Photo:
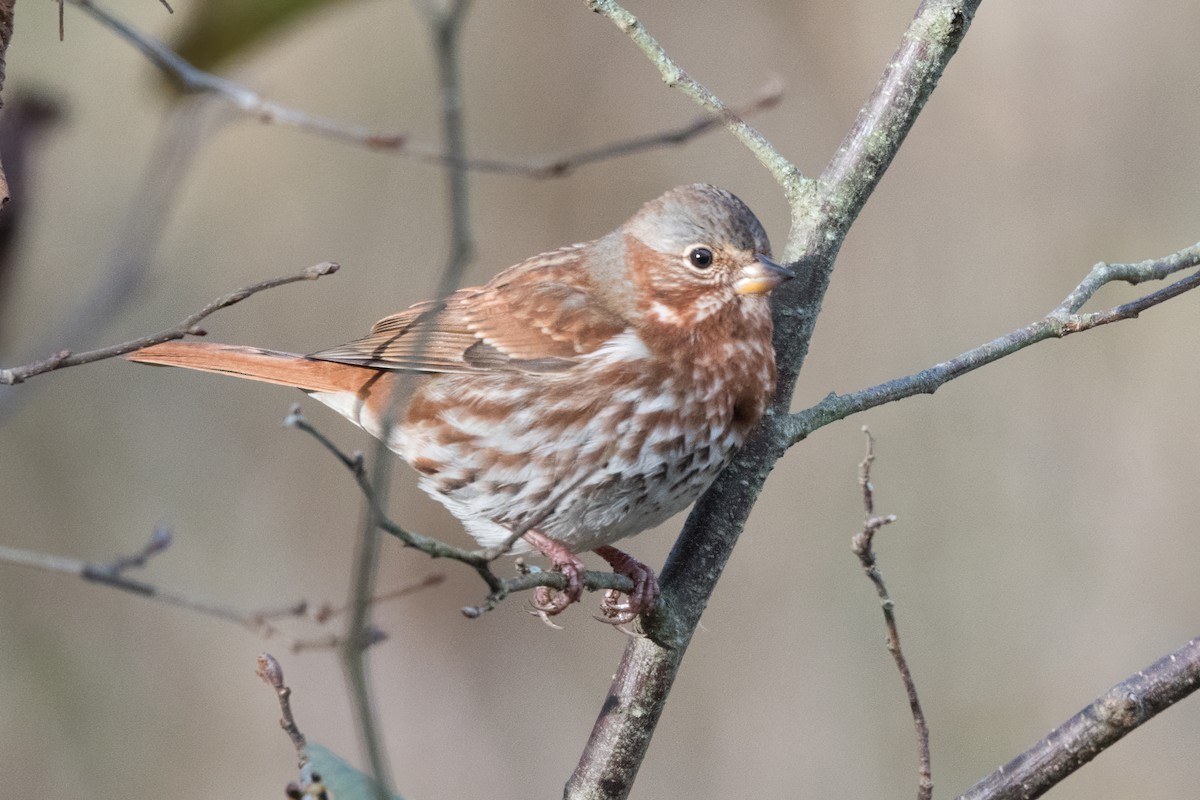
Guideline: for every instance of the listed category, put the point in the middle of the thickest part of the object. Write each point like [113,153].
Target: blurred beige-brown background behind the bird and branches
[1047,538]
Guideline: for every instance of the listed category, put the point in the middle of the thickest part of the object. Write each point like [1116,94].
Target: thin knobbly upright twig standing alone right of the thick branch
[863,545]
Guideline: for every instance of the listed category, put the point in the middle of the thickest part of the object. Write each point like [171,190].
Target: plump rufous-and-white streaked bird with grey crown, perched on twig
[580,398]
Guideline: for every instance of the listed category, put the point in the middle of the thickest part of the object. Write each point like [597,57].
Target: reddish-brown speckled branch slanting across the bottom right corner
[1124,708]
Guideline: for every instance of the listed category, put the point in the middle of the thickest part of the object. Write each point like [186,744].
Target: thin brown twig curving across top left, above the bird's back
[249,103]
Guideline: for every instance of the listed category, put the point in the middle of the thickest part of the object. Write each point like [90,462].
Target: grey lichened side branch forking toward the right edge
[1064,321]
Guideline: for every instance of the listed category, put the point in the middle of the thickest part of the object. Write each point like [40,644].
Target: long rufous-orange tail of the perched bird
[255,364]
